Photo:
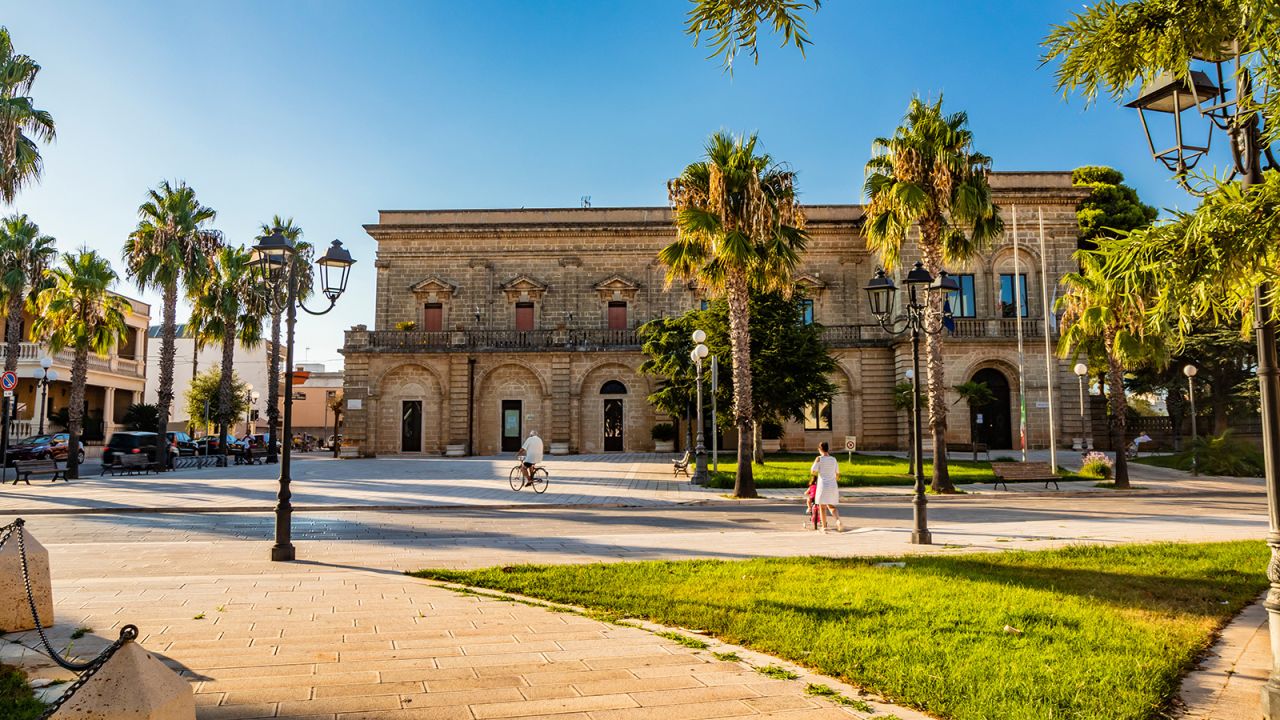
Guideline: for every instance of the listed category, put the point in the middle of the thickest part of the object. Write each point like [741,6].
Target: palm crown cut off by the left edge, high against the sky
[21,124]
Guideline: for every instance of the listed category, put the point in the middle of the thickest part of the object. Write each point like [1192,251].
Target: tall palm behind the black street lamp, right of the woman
[929,175]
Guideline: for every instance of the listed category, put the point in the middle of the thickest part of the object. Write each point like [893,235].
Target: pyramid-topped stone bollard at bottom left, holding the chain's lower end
[134,685]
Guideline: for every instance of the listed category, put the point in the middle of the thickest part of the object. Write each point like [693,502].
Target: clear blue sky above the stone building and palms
[330,112]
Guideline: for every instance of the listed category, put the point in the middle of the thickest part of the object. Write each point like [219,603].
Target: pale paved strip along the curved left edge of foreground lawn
[752,659]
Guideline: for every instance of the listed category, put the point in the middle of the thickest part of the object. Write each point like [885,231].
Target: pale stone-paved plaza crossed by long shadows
[344,635]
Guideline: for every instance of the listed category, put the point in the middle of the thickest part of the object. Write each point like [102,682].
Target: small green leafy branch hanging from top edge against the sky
[733,26]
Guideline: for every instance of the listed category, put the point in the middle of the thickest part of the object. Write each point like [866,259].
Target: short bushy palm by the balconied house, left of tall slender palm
[80,312]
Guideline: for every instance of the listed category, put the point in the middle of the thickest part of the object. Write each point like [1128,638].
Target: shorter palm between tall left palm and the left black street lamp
[228,309]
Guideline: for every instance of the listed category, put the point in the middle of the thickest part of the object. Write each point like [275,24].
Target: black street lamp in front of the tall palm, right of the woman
[880,295]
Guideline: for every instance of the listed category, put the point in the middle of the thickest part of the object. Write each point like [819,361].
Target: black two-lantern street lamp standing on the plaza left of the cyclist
[277,267]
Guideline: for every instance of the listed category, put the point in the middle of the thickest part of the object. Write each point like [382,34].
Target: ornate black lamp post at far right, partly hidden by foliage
[1220,103]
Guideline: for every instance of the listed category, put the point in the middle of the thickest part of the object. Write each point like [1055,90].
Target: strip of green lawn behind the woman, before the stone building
[792,471]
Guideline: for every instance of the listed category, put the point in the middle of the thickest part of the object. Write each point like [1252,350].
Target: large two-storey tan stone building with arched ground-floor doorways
[493,323]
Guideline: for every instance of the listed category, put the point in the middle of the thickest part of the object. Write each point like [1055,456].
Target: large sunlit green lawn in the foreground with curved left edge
[1096,632]
